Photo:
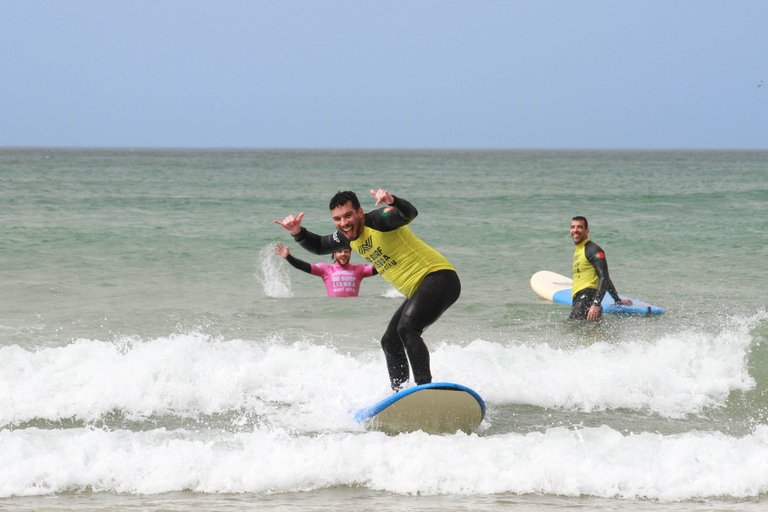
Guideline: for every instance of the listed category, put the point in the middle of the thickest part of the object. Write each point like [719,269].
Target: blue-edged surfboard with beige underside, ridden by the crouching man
[435,408]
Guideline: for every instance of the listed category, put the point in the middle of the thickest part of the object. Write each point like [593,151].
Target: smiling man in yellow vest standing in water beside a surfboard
[590,275]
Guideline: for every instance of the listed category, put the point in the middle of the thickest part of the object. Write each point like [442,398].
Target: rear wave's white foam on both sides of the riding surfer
[295,383]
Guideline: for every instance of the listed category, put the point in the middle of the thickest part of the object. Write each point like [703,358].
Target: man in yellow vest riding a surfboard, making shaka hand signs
[428,281]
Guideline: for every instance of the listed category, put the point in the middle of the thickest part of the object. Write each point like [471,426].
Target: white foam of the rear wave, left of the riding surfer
[182,375]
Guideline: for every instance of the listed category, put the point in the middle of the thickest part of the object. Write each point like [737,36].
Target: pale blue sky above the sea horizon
[385,74]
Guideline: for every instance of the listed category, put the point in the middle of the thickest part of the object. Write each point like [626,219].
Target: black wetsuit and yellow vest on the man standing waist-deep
[590,279]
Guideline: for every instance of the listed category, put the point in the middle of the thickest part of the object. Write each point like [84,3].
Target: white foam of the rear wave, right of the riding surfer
[679,374]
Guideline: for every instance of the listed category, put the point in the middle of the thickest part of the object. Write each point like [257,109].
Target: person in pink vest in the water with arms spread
[341,279]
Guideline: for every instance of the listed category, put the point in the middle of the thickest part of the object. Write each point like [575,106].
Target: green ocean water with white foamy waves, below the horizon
[155,354]
